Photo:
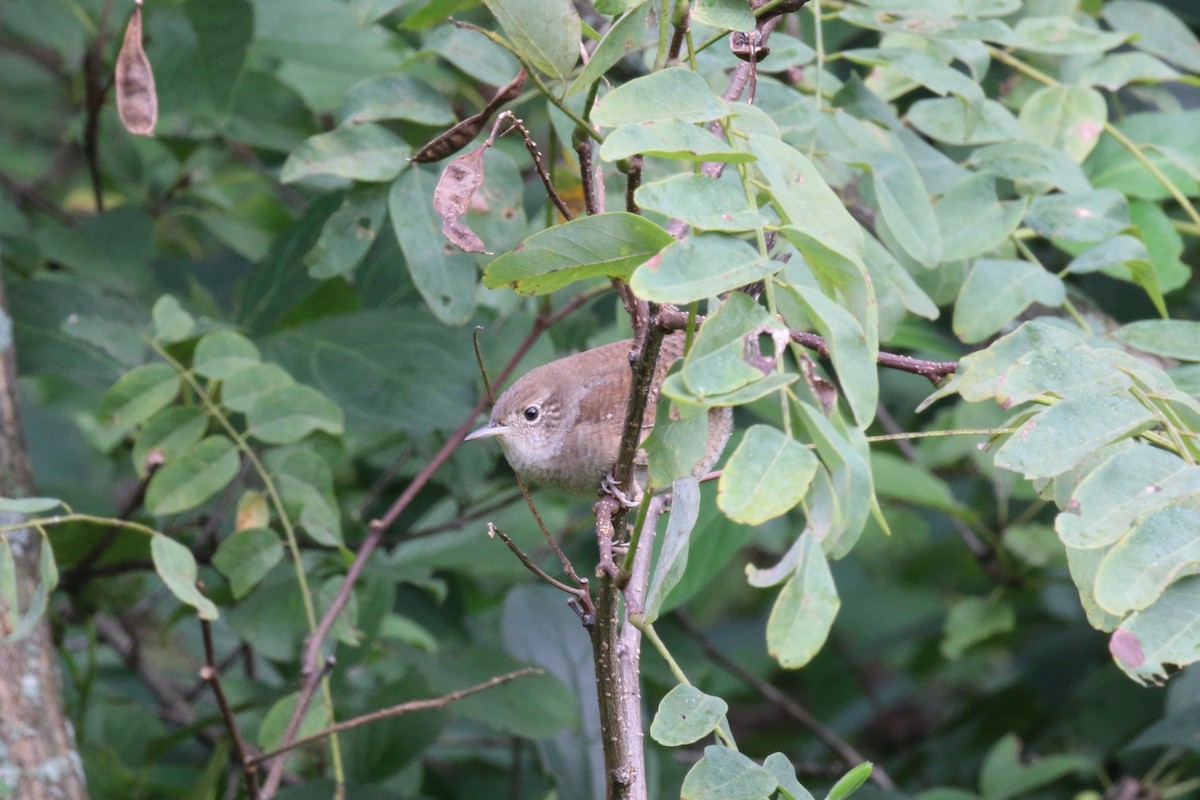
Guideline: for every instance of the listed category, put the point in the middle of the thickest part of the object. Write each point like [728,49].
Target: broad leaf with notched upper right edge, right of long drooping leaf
[973,220]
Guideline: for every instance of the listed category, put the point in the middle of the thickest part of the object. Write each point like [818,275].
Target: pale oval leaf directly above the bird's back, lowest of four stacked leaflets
[699,267]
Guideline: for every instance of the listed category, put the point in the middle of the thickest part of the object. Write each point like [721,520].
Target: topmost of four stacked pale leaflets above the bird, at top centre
[675,94]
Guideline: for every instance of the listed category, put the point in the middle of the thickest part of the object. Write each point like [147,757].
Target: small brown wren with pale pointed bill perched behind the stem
[561,424]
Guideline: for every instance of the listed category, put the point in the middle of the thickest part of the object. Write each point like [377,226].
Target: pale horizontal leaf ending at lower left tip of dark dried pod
[364,153]
